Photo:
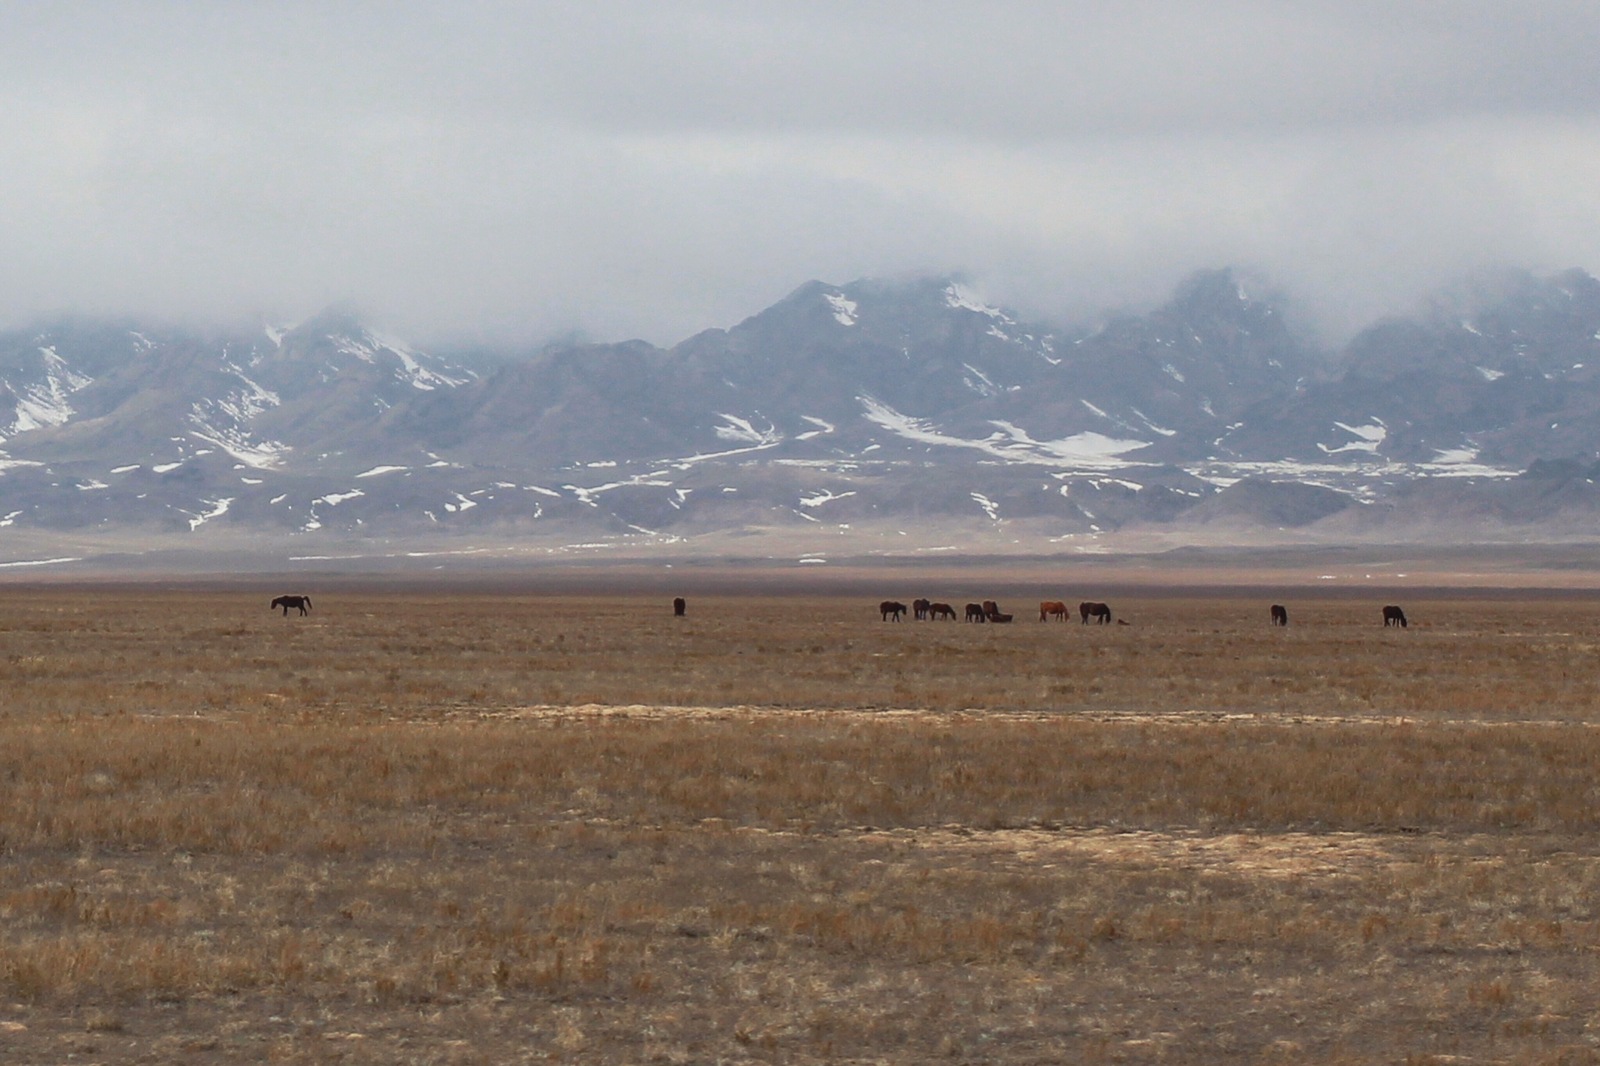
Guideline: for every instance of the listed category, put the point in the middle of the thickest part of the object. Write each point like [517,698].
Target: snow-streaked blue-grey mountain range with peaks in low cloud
[860,411]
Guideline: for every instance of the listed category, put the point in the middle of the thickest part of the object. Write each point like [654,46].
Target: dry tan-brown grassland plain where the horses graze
[458,827]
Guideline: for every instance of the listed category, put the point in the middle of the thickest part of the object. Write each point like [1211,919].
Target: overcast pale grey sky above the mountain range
[508,172]
